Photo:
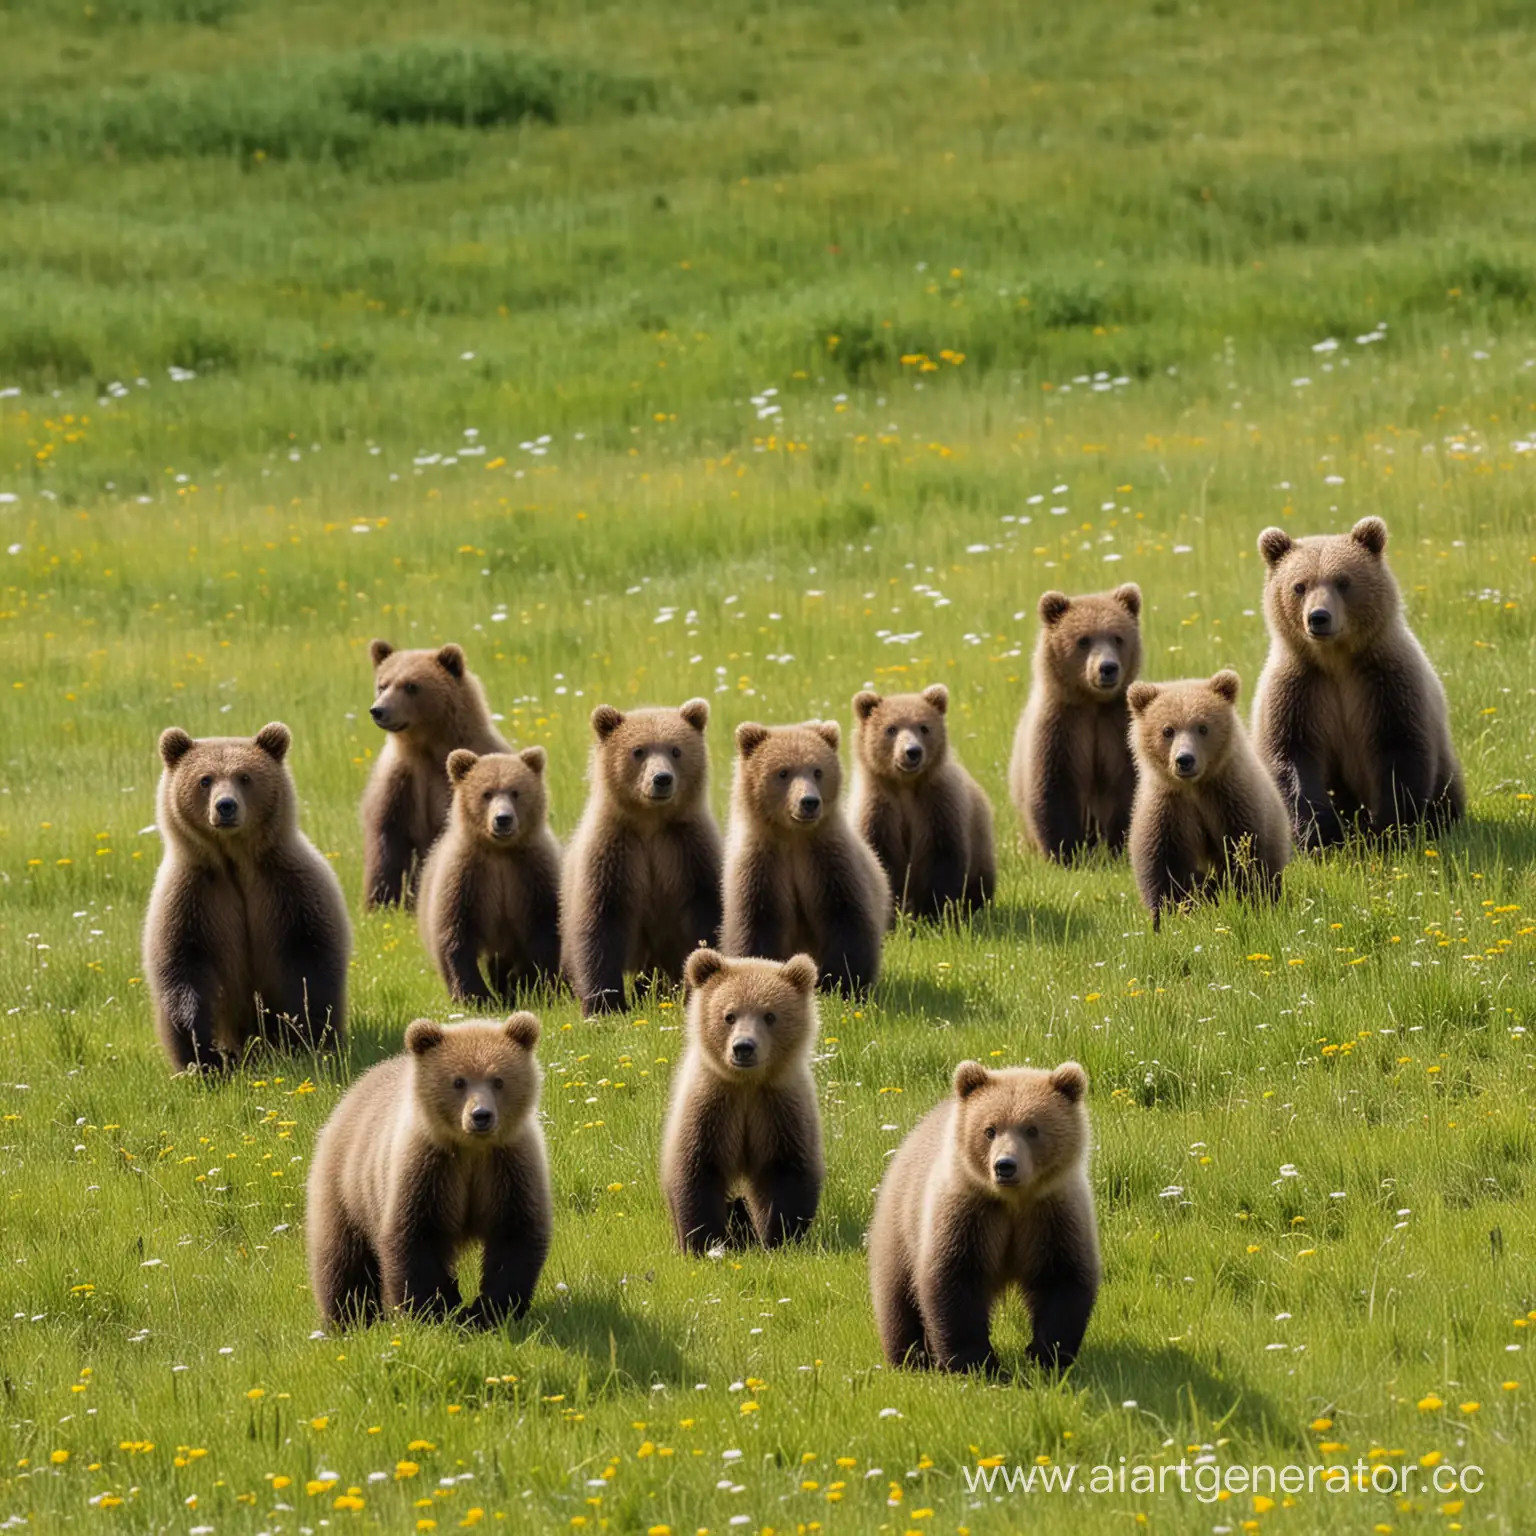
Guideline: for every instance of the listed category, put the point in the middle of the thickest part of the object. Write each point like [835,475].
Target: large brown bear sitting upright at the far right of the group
[1349,715]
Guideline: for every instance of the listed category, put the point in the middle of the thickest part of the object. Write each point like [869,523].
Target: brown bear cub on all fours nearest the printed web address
[990,1191]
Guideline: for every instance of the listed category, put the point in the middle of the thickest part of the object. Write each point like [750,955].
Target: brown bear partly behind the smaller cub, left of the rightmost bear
[1071,776]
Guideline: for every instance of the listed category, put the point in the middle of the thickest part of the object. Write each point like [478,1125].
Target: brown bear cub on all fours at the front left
[428,1153]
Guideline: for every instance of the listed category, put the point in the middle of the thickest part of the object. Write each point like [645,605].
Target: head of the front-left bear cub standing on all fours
[475,1085]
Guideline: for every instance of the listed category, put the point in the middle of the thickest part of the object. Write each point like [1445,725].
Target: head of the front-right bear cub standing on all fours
[1022,1130]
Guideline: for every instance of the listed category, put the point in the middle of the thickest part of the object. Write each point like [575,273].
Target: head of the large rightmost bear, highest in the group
[1329,594]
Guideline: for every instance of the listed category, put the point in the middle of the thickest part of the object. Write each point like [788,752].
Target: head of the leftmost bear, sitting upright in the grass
[227,790]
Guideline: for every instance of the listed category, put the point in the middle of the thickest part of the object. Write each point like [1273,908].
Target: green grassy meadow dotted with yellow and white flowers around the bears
[766,353]
